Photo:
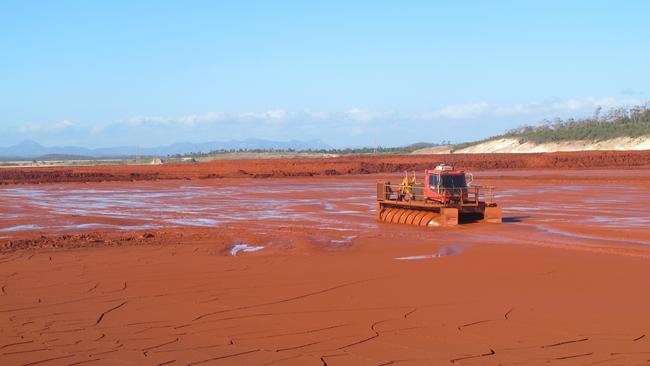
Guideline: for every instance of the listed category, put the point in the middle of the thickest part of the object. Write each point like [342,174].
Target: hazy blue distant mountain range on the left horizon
[33,150]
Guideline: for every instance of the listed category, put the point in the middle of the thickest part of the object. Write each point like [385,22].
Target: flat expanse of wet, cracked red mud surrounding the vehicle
[143,273]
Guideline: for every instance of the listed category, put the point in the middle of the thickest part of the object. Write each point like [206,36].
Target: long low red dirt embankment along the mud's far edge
[266,168]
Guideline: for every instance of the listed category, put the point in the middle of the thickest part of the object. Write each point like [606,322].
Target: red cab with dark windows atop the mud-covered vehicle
[444,184]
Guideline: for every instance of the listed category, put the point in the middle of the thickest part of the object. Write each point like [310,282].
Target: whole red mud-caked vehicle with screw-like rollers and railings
[445,196]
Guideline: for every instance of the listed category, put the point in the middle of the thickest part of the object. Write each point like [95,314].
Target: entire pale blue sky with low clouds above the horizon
[94,74]
